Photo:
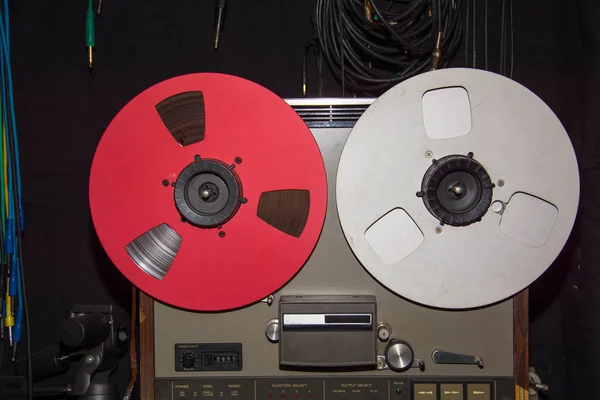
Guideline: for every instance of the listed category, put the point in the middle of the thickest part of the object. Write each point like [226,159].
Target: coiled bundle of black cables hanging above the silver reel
[372,45]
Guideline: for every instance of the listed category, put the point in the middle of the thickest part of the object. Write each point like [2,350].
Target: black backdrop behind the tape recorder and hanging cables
[62,111]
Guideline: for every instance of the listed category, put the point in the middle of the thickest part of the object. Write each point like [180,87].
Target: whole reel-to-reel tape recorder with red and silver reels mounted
[334,248]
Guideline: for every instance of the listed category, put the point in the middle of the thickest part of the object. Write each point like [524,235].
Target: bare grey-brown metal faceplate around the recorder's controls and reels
[333,270]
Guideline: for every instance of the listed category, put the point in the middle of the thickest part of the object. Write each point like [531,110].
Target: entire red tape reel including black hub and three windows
[208,192]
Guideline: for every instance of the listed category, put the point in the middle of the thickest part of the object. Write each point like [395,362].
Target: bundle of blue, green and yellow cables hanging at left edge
[12,282]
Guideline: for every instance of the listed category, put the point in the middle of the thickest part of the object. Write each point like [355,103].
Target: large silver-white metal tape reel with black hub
[457,188]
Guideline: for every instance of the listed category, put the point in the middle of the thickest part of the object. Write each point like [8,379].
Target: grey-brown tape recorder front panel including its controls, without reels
[334,316]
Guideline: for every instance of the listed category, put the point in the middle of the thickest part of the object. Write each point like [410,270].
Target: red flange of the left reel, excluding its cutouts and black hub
[210,271]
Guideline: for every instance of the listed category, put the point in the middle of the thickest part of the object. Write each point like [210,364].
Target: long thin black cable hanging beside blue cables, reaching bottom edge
[11,149]
